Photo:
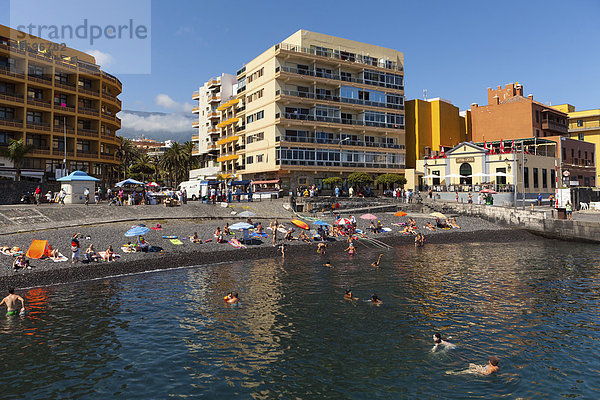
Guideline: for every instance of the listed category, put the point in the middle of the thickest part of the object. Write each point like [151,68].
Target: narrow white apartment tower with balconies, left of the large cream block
[211,97]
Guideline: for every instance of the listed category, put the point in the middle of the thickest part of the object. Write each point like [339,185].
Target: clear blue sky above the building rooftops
[454,49]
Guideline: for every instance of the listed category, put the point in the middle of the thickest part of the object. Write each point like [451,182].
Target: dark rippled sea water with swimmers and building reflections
[170,335]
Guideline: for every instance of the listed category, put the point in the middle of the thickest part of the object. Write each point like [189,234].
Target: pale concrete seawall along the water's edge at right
[538,222]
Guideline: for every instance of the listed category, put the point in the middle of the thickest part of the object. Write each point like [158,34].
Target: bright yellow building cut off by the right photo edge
[584,125]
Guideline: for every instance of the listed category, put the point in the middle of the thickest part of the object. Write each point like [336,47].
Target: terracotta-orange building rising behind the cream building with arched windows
[510,115]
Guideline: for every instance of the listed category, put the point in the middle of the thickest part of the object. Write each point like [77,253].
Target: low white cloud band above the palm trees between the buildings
[174,123]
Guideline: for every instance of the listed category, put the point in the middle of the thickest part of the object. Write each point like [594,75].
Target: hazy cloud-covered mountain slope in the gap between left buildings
[157,125]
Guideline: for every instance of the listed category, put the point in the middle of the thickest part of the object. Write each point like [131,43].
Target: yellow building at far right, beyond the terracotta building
[584,126]
